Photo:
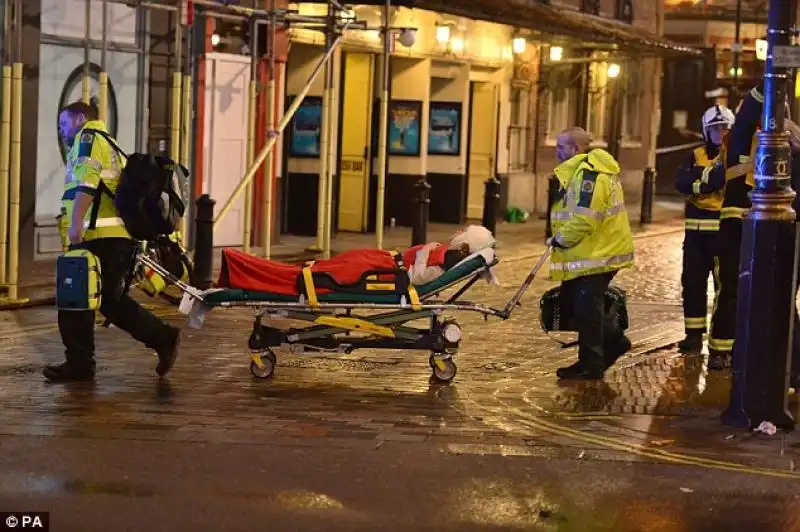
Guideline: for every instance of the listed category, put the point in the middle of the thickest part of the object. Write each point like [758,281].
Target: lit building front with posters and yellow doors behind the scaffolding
[480,93]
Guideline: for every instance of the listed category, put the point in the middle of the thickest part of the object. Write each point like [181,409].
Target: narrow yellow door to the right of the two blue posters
[482,144]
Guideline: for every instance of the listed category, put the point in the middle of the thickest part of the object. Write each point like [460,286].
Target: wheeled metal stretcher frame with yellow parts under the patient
[334,328]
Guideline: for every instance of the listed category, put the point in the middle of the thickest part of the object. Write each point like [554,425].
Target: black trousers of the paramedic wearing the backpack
[77,327]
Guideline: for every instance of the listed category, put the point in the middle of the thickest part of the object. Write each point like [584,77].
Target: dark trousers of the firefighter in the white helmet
[698,264]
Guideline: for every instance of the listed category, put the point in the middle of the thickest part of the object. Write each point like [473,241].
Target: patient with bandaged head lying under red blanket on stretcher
[422,264]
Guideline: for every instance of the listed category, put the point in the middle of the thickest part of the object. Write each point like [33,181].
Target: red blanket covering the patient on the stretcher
[247,272]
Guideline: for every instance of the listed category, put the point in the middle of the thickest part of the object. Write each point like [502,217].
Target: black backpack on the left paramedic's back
[150,194]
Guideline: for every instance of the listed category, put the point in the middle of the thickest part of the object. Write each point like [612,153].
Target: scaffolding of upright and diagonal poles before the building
[333,25]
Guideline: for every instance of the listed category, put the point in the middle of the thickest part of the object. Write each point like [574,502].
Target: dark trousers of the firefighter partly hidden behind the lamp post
[723,321]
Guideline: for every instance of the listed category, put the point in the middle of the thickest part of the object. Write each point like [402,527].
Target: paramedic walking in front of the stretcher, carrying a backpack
[92,222]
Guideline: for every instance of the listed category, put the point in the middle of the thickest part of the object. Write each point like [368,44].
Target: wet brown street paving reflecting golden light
[366,441]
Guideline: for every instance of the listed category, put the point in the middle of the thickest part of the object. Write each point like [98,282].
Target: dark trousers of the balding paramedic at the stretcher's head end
[596,333]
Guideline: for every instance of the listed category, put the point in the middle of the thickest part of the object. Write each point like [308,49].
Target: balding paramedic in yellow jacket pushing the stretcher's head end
[591,242]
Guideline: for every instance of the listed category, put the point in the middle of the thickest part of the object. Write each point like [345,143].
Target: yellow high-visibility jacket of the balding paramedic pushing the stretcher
[589,218]
